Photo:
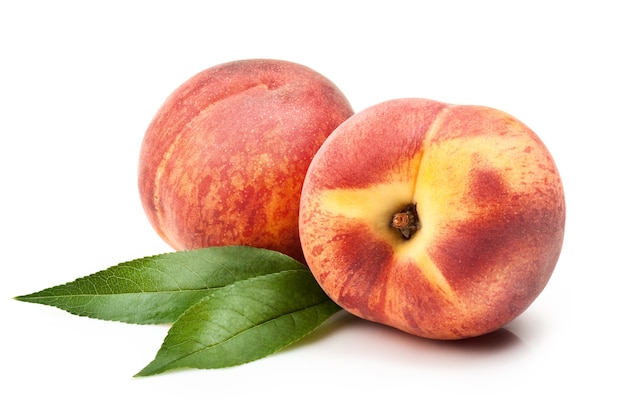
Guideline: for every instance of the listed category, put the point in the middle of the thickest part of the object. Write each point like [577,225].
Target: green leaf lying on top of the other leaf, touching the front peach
[243,322]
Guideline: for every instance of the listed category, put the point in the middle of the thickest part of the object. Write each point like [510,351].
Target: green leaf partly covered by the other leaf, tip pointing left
[158,289]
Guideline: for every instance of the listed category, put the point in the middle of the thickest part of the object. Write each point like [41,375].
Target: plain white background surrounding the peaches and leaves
[80,81]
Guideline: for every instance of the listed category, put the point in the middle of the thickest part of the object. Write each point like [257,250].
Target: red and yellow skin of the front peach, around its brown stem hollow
[490,204]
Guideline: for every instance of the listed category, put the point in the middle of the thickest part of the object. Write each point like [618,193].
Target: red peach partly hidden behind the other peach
[223,160]
